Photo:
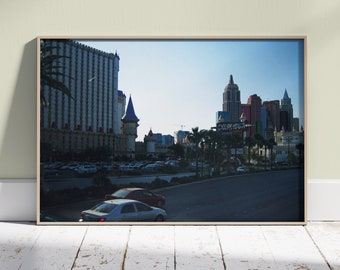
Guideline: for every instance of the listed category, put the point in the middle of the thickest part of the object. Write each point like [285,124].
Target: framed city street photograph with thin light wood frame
[171,130]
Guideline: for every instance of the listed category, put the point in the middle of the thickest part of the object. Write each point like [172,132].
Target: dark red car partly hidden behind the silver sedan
[138,194]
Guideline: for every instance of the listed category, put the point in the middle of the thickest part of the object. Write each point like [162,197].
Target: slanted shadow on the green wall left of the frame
[18,150]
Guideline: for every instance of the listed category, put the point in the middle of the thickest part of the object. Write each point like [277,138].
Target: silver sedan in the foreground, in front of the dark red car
[123,210]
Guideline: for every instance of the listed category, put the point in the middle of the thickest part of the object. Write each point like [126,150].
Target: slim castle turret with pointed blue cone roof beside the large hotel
[130,124]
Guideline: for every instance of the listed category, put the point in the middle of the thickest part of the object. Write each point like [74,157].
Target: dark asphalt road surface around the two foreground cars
[276,196]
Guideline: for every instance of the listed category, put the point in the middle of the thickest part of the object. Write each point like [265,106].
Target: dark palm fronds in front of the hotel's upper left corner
[50,68]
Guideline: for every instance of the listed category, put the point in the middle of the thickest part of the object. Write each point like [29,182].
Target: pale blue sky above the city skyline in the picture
[178,84]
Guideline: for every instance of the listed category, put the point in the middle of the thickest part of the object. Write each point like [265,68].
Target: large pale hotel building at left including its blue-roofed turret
[93,120]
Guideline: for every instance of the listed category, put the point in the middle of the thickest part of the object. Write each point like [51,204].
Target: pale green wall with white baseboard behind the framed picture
[22,21]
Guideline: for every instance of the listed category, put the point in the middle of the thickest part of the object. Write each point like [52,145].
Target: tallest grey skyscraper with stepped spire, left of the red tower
[232,100]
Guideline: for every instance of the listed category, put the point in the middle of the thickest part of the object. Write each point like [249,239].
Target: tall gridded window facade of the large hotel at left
[95,98]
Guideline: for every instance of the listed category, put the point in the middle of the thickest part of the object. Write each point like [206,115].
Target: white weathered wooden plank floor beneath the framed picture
[27,246]
